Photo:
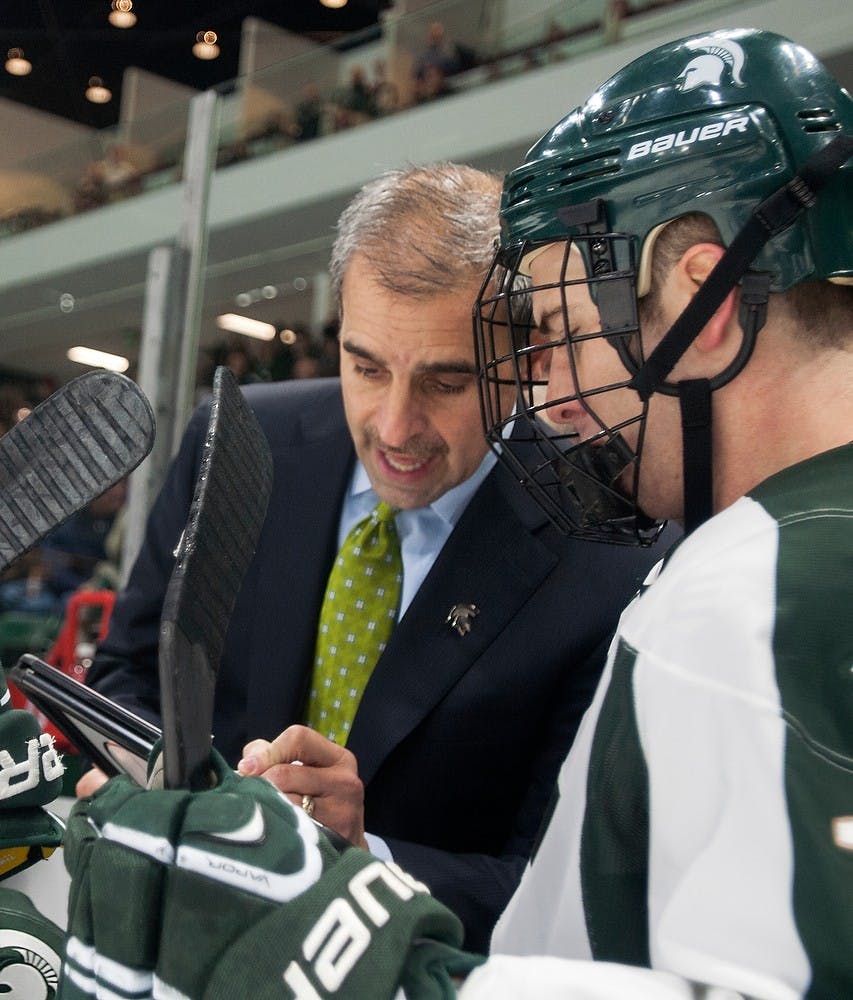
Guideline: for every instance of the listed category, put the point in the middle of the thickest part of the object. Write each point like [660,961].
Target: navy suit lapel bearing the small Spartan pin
[491,560]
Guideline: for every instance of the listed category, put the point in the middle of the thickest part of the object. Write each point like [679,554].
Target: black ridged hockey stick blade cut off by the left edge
[73,447]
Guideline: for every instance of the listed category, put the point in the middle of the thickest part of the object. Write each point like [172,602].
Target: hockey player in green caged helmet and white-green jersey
[685,238]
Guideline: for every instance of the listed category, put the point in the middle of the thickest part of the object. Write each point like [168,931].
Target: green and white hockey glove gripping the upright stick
[234,892]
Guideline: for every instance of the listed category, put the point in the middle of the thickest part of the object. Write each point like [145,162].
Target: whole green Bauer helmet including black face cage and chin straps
[742,126]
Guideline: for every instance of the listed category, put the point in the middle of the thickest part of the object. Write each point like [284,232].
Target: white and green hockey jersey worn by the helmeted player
[697,826]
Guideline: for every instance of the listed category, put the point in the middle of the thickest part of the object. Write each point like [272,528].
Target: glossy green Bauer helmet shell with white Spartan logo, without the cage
[713,123]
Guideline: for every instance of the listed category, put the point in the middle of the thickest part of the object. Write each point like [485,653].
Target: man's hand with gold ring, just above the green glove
[300,762]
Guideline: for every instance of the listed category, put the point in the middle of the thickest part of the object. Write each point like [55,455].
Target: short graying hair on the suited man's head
[423,230]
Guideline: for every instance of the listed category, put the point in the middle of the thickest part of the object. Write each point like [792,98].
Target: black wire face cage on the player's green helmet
[587,486]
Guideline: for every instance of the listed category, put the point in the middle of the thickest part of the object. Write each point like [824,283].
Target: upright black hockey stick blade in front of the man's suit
[227,512]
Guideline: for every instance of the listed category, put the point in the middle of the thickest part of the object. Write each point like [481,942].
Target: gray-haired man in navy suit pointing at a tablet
[455,743]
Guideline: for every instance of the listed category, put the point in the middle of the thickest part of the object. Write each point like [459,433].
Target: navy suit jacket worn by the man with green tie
[458,737]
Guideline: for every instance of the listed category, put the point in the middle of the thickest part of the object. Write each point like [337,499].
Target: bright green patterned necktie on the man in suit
[358,614]
